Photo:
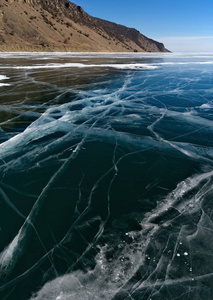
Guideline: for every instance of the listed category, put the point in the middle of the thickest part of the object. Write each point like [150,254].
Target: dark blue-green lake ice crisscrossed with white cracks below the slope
[107,185]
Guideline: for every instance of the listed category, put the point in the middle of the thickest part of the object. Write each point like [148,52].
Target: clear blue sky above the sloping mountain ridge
[182,25]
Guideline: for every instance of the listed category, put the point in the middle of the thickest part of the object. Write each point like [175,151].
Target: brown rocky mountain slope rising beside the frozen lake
[60,25]
